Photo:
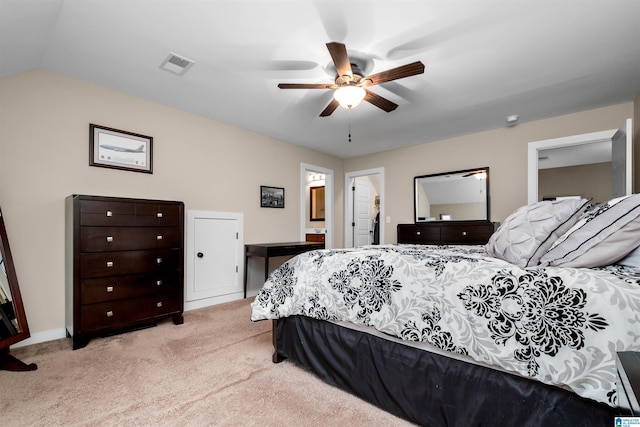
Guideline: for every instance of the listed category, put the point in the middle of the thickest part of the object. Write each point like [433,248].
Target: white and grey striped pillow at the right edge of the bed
[601,237]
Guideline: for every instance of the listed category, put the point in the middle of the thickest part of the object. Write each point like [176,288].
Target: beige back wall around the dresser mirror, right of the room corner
[503,150]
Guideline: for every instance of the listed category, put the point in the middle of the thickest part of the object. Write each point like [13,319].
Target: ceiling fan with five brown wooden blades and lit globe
[351,85]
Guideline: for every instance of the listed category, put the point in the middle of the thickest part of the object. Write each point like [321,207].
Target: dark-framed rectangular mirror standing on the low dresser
[457,195]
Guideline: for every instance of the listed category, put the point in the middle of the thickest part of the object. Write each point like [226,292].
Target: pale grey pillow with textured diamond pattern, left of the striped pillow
[530,230]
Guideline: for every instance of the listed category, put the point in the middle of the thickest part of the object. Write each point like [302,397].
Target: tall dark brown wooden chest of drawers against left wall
[124,264]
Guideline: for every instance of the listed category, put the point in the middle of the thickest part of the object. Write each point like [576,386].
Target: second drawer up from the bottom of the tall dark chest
[119,287]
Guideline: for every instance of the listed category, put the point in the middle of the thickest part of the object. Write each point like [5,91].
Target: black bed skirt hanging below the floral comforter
[426,388]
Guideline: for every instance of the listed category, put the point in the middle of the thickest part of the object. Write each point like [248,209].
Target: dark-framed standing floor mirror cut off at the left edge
[13,320]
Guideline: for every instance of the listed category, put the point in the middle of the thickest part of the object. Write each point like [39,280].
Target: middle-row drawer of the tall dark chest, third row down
[101,264]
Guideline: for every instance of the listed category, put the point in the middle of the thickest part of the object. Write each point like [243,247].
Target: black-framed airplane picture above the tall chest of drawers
[118,149]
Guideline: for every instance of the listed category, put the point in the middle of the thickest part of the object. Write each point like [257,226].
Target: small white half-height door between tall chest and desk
[215,258]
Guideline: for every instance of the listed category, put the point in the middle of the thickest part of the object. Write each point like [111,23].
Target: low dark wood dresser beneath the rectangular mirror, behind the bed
[446,232]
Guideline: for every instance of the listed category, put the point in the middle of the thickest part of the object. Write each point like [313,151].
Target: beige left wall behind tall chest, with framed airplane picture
[44,157]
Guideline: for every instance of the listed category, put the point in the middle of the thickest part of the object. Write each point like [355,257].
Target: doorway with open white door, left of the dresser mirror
[364,208]
